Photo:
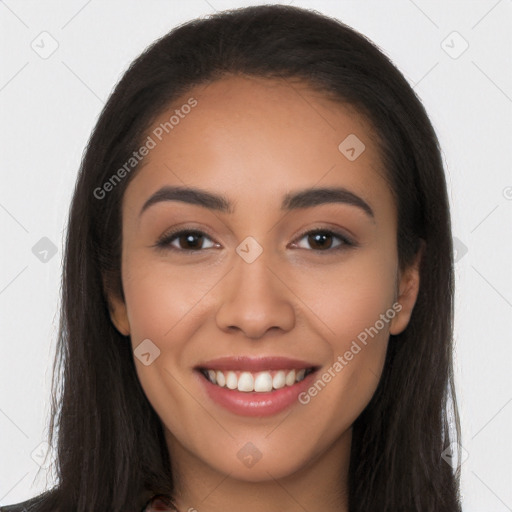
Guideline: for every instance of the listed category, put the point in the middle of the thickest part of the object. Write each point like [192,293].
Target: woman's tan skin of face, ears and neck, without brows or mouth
[253,140]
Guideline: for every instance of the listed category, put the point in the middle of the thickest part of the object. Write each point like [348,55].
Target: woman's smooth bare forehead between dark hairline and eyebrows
[254,139]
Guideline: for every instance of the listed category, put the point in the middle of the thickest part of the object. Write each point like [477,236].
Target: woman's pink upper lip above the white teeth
[246,363]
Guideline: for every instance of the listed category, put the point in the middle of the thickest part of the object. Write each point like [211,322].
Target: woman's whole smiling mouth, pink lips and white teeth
[255,387]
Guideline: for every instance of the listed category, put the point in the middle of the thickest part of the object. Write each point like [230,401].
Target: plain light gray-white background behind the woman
[48,109]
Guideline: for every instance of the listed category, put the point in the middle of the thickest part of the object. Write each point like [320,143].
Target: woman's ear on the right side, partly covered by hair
[408,288]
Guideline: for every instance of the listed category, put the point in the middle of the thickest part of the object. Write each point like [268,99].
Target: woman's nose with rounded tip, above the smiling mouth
[255,299]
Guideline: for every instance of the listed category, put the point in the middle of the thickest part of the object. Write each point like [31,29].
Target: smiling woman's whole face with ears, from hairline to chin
[266,276]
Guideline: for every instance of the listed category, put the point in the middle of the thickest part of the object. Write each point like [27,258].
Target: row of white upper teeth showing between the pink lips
[259,382]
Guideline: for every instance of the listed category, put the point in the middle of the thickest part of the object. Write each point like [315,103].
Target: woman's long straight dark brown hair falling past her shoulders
[111,450]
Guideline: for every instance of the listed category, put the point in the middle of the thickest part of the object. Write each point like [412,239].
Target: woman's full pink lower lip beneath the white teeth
[253,403]
